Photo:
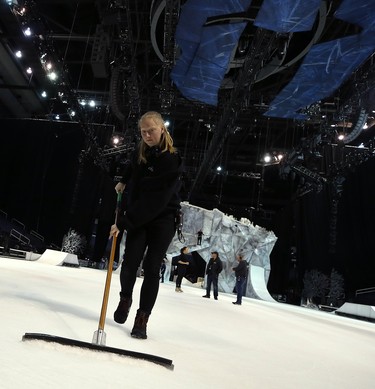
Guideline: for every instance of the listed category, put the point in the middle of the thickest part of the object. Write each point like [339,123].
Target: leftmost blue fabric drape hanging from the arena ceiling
[205,50]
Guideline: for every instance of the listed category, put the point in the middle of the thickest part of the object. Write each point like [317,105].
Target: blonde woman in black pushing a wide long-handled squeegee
[153,180]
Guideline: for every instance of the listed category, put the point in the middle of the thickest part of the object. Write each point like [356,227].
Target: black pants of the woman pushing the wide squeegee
[155,237]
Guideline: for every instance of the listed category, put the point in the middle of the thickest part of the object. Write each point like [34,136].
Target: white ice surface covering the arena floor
[213,344]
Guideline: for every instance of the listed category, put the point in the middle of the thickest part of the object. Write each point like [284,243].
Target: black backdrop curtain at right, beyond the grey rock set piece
[305,224]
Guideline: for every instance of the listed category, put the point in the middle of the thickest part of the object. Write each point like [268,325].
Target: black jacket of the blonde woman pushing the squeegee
[152,188]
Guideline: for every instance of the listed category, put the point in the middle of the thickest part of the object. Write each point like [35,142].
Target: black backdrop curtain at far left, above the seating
[40,163]
